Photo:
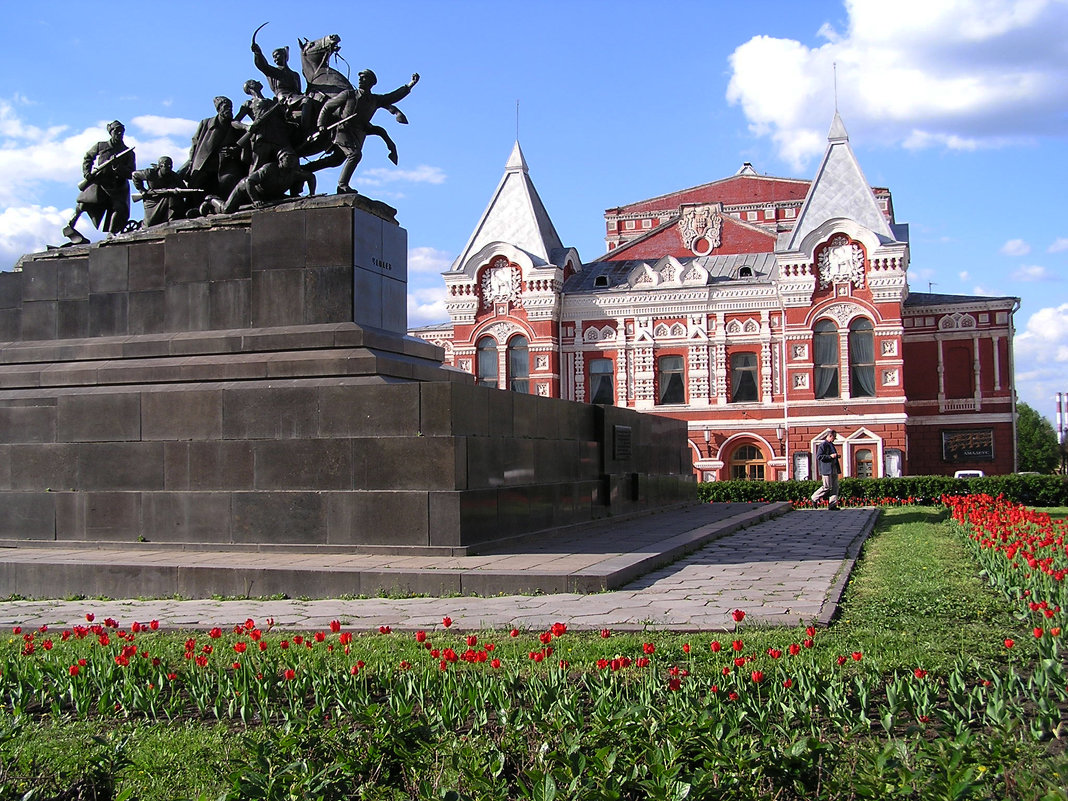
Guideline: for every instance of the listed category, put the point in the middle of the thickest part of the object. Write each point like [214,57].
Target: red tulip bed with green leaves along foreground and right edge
[438,713]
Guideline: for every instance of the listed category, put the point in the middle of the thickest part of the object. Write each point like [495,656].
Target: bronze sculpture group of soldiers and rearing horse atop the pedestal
[232,165]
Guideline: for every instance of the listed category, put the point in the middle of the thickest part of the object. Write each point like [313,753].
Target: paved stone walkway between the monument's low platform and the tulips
[783,572]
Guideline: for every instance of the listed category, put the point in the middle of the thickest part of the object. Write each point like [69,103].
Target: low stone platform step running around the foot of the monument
[591,558]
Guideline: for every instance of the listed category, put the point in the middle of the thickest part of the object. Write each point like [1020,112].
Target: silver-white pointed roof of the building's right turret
[840,190]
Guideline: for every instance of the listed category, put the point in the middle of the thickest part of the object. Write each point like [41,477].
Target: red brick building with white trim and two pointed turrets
[763,311]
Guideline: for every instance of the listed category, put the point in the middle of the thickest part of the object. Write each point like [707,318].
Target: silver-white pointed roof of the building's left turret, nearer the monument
[516,216]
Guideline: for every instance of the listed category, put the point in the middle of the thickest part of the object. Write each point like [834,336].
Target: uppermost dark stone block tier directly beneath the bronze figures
[311,262]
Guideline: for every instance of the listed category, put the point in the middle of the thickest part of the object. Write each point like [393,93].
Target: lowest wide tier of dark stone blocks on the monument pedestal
[439,465]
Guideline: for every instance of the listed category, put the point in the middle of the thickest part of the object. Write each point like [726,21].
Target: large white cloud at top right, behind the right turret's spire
[954,74]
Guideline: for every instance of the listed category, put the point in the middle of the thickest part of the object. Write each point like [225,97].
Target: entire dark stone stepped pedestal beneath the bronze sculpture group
[217,385]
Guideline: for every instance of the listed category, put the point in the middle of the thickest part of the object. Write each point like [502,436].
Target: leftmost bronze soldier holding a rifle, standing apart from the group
[105,194]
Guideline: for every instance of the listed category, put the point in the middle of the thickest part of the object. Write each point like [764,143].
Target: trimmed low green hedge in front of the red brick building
[1033,491]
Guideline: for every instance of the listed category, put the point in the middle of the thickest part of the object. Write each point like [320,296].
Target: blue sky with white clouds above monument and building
[960,107]
